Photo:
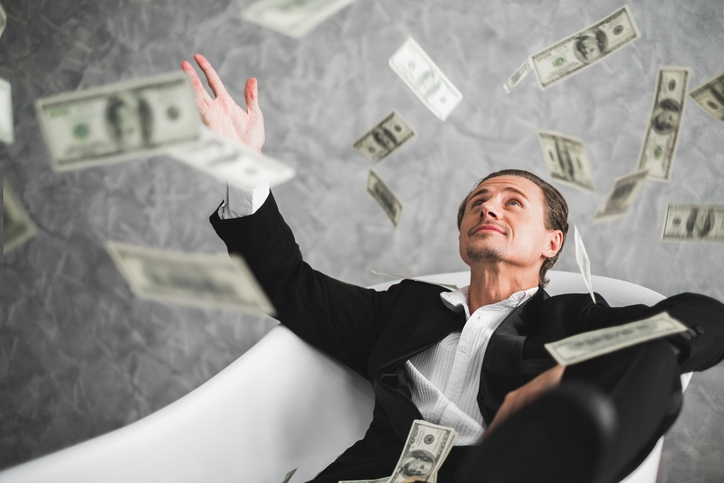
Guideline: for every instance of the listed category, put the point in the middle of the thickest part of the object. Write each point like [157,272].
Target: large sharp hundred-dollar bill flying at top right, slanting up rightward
[581,50]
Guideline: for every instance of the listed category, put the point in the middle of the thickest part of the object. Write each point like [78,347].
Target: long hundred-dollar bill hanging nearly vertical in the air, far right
[662,132]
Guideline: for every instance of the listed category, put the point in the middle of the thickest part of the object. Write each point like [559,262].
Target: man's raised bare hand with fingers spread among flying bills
[221,113]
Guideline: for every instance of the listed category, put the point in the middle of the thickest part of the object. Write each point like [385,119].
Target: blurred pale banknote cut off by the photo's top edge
[295,18]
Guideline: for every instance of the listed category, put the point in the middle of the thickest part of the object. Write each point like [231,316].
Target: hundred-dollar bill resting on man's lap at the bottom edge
[424,452]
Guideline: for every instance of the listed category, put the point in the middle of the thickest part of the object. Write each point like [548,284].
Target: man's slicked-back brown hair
[554,206]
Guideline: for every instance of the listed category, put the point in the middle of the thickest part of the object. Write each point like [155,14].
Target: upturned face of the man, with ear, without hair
[504,222]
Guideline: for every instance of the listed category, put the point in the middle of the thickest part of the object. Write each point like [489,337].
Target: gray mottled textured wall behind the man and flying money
[80,355]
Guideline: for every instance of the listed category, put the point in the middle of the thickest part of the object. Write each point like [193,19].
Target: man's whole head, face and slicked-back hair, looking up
[514,216]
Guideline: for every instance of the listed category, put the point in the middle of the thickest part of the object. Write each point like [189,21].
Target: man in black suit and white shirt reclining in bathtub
[473,359]
